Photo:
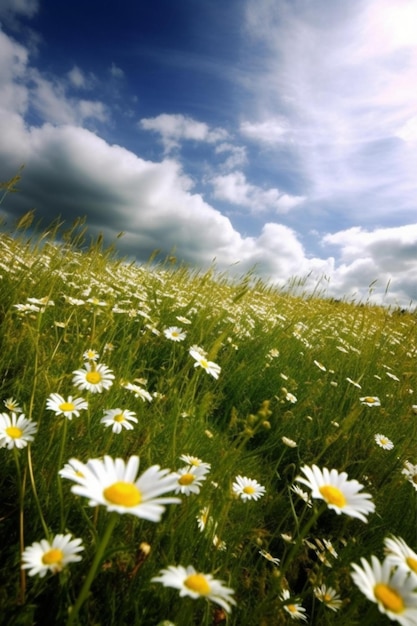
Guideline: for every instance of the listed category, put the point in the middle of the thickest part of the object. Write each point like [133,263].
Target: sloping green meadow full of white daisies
[178,448]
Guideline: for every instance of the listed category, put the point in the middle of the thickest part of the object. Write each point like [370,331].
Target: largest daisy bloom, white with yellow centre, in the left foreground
[114,484]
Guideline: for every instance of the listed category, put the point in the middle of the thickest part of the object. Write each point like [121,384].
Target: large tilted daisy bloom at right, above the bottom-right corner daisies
[341,495]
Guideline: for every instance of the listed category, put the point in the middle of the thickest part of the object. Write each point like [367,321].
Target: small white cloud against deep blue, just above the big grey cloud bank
[177,127]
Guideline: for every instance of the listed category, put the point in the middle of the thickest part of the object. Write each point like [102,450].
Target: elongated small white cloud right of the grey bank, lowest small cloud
[235,189]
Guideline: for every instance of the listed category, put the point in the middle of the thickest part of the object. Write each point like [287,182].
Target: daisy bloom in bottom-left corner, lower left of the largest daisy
[44,556]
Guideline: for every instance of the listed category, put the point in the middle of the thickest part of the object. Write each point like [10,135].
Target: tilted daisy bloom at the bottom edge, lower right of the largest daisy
[194,584]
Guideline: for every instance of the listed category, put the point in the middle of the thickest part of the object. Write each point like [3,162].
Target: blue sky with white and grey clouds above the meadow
[273,136]
